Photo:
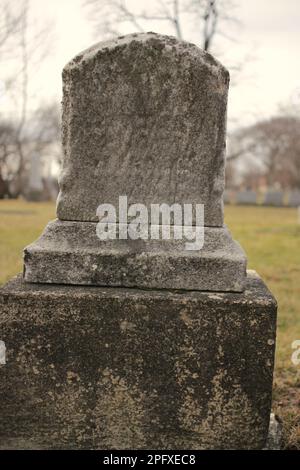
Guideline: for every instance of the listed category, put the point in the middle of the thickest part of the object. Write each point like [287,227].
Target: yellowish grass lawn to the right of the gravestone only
[271,239]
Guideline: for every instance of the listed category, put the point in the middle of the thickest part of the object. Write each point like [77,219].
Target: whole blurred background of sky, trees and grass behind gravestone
[258,42]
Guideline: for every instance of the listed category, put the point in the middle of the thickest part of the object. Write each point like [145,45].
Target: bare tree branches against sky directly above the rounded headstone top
[112,16]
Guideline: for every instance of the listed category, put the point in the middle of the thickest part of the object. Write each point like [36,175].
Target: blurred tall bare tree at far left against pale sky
[25,48]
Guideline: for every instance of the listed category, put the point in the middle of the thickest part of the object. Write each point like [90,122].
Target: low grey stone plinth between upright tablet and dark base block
[71,252]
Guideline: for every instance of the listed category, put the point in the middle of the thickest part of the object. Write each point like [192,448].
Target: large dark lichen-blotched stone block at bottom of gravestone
[117,368]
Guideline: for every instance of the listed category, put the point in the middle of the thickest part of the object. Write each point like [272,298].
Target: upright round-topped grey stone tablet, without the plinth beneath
[143,116]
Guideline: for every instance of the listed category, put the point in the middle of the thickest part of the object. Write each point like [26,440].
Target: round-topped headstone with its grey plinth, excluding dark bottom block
[153,132]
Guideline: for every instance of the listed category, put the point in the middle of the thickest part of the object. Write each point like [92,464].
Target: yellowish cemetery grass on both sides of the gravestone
[271,238]
